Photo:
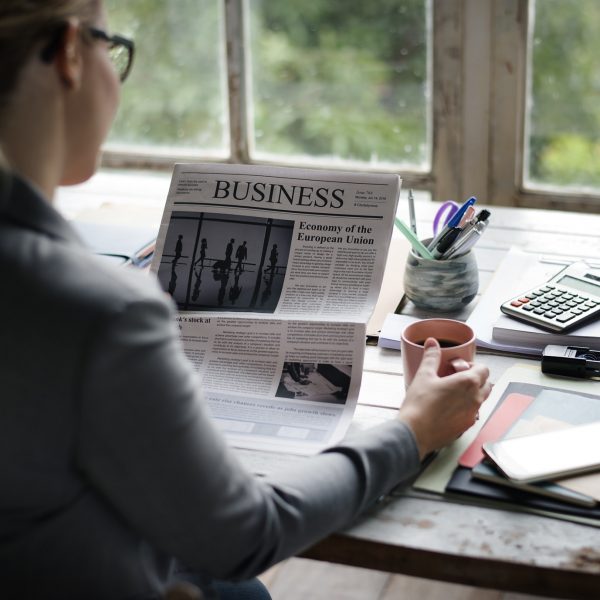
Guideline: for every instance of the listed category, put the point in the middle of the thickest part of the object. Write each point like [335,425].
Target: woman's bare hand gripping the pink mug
[440,409]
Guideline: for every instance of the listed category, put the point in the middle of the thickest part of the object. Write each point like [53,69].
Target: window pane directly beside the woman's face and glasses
[175,95]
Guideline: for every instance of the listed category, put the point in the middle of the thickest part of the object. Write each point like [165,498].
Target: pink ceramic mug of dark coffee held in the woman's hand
[456,339]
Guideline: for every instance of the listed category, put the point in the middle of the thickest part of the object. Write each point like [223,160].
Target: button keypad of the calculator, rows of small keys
[552,306]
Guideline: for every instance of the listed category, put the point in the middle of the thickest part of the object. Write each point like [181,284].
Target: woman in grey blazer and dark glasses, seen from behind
[110,465]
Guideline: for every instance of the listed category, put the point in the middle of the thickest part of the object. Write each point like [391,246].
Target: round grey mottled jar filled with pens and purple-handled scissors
[441,272]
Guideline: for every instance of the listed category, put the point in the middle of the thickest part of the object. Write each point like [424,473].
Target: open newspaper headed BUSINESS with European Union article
[275,272]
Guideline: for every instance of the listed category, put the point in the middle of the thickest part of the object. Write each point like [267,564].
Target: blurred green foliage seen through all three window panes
[345,79]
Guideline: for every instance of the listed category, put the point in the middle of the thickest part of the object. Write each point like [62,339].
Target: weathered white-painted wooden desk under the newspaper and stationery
[440,539]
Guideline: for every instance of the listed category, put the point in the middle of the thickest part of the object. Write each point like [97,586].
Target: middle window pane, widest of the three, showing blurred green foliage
[341,79]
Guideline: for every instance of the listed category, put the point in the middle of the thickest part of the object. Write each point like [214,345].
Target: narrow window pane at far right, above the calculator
[563,124]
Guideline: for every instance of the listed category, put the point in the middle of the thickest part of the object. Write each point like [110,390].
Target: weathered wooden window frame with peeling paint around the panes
[478,102]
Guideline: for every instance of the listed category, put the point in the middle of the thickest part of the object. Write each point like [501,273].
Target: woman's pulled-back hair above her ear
[24,23]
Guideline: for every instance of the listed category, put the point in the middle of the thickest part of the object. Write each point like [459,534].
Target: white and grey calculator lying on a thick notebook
[568,300]
